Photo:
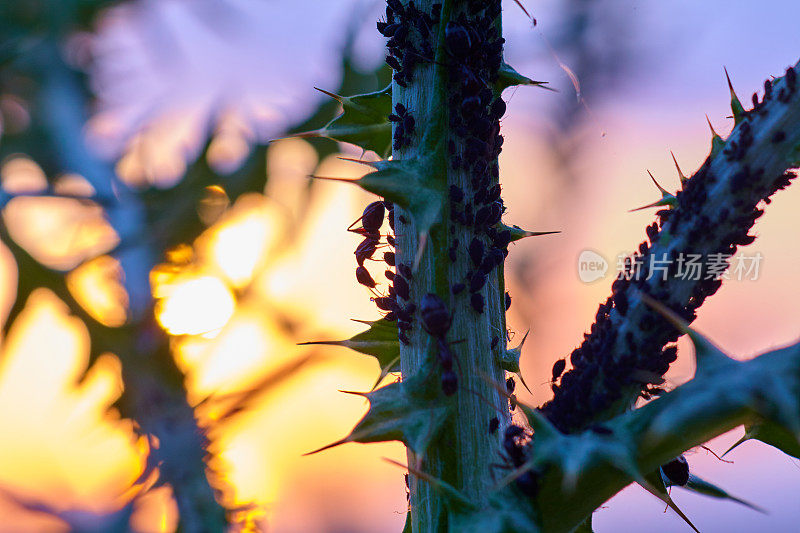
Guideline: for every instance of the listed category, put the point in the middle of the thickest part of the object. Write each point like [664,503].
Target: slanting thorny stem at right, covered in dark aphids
[629,347]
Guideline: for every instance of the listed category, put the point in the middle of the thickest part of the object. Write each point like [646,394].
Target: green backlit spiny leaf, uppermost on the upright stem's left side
[363,122]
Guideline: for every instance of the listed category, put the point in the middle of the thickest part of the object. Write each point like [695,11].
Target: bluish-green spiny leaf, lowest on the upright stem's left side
[411,411]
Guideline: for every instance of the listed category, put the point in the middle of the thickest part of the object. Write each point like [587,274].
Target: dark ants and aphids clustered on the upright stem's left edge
[398,292]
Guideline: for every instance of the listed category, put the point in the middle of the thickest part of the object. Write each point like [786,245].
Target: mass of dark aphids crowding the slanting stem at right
[646,355]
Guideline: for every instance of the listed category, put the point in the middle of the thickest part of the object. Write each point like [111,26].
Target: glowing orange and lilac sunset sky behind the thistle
[277,269]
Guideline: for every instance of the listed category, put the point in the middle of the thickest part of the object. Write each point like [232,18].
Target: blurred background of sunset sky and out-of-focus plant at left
[162,258]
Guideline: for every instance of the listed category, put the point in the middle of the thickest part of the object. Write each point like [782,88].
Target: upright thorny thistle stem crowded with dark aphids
[434,95]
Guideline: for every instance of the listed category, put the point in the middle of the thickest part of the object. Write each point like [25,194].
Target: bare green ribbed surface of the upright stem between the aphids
[465,449]
